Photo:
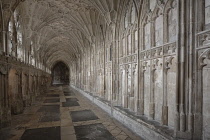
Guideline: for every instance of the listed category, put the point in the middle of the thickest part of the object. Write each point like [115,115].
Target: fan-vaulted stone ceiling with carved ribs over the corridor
[61,29]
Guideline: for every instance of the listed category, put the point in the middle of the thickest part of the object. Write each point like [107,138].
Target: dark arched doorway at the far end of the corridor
[60,74]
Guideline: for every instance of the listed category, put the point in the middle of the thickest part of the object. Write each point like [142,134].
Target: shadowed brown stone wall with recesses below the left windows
[20,84]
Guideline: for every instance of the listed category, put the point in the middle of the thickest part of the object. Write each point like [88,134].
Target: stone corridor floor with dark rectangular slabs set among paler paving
[64,114]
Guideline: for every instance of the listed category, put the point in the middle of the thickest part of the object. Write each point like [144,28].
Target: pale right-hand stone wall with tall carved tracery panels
[149,63]
